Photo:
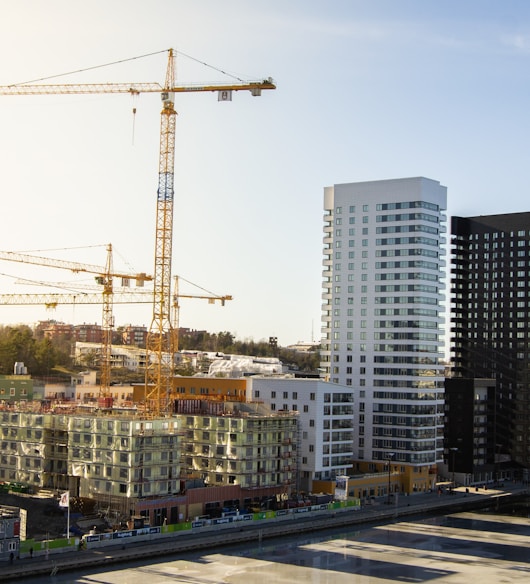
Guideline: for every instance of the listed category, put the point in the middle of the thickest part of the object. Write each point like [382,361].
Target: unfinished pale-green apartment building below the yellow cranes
[165,468]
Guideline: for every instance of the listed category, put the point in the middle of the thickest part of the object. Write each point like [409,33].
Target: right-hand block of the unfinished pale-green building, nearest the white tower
[231,443]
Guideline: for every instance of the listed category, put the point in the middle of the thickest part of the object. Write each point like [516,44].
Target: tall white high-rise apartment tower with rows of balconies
[383,316]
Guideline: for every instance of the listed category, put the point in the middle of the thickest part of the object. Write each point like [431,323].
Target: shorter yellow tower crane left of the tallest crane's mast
[104,277]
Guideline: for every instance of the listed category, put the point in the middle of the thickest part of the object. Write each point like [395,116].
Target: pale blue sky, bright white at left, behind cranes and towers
[366,90]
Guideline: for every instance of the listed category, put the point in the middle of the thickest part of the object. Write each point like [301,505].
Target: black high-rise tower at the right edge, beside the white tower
[490,320]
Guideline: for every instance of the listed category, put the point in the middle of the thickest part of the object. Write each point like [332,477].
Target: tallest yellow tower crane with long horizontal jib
[159,367]
